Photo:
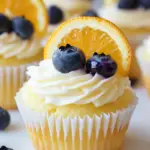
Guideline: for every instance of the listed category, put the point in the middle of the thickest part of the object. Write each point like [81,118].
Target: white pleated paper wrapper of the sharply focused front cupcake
[104,132]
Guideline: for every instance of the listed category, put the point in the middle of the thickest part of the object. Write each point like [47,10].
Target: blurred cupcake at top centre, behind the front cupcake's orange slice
[61,10]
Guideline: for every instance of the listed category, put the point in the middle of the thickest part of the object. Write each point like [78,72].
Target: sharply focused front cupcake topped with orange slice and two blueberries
[80,97]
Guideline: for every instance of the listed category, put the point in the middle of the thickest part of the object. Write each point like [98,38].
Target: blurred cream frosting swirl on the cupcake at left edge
[12,45]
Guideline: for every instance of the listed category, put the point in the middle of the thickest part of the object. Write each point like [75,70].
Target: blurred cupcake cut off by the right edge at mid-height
[143,55]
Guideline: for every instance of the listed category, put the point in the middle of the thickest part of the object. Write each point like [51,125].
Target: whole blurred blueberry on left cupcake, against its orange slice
[22,27]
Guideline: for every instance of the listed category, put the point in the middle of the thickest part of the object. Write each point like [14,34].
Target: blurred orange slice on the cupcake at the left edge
[33,10]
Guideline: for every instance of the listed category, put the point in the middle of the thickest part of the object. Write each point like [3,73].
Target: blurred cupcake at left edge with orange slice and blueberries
[20,36]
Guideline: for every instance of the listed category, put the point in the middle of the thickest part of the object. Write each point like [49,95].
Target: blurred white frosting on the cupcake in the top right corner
[135,18]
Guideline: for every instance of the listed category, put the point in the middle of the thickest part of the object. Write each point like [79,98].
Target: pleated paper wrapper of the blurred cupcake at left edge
[11,79]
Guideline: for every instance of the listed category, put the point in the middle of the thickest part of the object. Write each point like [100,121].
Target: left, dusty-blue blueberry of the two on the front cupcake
[68,58]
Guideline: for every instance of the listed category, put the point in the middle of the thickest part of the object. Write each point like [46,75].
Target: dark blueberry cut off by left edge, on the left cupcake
[5,24]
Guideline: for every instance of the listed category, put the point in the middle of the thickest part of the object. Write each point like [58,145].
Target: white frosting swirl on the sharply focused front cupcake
[76,87]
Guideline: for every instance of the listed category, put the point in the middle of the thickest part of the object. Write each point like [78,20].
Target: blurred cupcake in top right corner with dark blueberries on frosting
[131,16]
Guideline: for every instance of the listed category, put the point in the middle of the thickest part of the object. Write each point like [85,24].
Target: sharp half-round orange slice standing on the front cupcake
[91,35]
